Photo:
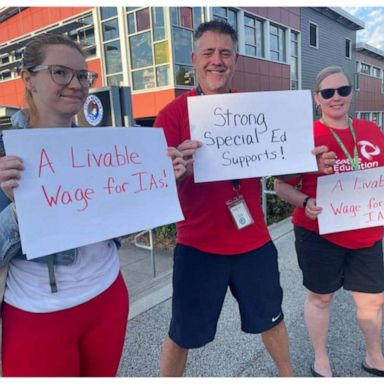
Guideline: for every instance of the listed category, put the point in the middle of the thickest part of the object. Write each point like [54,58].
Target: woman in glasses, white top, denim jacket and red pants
[63,314]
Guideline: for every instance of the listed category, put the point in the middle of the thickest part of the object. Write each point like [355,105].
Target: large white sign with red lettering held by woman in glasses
[84,185]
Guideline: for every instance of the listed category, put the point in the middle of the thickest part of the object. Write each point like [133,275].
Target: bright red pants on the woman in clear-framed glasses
[86,340]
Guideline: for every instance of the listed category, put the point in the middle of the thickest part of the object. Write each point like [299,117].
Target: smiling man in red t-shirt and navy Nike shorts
[212,253]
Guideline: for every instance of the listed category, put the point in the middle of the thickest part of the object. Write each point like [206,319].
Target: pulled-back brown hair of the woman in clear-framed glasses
[34,54]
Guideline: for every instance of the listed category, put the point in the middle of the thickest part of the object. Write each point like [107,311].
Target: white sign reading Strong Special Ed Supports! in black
[252,134]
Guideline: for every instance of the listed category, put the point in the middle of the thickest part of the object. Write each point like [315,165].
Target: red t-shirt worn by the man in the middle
[208,224]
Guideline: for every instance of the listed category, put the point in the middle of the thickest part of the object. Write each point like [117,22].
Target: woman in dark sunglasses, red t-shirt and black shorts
[350,259]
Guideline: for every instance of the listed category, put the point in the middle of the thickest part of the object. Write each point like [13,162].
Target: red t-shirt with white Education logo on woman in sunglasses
[365,131]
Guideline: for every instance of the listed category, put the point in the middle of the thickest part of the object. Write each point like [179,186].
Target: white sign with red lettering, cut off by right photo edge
[351,200]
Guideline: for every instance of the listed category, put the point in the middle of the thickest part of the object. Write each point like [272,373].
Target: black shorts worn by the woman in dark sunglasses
[327,267]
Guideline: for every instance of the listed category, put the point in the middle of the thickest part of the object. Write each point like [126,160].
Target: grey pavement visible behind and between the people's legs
[234,353]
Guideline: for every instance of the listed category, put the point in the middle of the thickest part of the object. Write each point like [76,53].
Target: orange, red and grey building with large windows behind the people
[149,48]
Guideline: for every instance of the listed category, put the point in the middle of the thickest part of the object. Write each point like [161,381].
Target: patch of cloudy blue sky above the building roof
[373,17]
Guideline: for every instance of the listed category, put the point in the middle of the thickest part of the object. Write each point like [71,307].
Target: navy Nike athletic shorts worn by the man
[200,283]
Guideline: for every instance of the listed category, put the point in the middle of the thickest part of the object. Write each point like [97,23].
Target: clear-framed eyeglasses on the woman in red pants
[63,75]
